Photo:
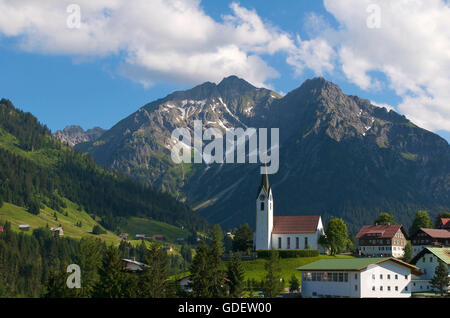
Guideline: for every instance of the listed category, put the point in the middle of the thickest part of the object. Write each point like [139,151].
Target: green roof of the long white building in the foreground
[352,264]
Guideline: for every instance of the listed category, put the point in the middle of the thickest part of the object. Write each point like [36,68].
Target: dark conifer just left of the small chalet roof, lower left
[111,277]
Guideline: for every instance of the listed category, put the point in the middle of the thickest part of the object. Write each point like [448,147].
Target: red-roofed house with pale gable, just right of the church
[382,240]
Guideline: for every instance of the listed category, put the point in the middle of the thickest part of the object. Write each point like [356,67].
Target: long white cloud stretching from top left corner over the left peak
[159,39]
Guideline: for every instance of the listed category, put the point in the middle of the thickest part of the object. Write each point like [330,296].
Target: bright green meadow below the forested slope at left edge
[17,215]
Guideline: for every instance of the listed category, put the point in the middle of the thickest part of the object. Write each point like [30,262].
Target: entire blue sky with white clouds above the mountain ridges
[92,63]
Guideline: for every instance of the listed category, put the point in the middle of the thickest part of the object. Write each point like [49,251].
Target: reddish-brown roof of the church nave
[295,224]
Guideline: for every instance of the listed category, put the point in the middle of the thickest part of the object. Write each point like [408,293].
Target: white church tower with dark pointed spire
[264,215]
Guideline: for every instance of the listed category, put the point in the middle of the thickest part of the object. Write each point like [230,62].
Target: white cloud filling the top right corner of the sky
[411,49]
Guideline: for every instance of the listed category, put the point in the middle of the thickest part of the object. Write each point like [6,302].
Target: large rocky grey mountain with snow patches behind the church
[339,155]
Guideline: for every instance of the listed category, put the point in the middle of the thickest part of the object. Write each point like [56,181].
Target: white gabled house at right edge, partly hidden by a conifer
[427,260]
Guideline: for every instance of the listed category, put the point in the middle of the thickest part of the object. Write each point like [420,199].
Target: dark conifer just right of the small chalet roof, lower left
[153,281]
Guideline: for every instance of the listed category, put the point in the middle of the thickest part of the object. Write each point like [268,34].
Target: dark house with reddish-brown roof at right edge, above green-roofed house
[429,238]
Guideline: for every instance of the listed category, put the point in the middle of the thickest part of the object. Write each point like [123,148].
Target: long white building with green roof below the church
[357,278]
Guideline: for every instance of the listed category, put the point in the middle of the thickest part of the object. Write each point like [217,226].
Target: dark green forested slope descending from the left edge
[38,172]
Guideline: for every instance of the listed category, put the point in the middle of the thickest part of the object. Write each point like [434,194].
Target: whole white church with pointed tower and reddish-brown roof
[283,232]
